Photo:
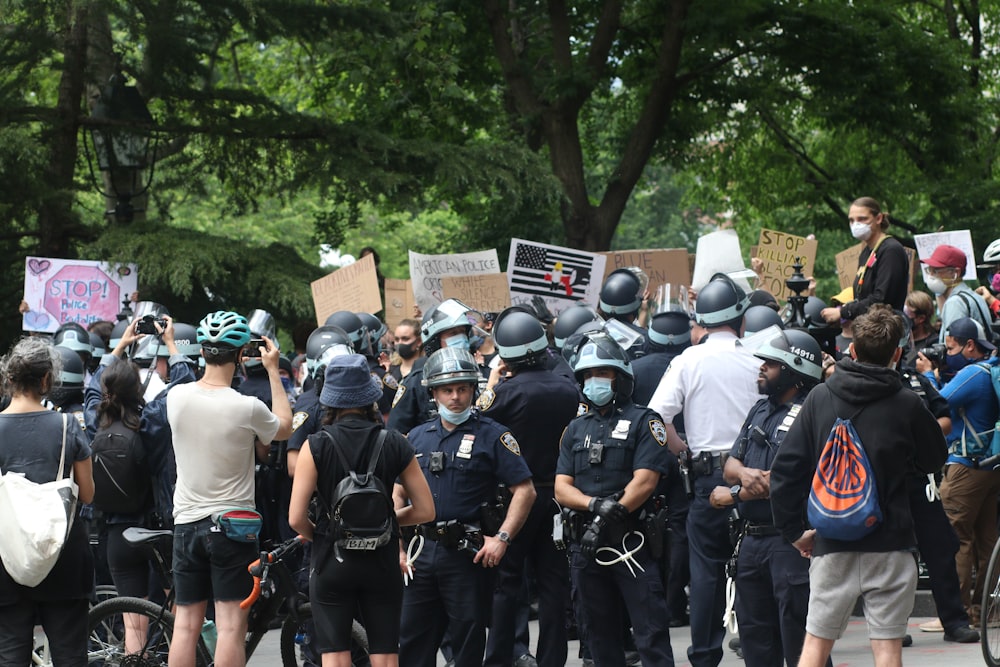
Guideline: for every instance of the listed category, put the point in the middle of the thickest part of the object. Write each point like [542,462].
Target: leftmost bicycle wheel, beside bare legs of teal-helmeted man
[107,634]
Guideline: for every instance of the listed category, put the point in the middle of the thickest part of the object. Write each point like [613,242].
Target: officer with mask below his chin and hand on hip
[463,456]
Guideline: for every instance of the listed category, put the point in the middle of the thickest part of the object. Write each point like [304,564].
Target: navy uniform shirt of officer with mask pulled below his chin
[475,456]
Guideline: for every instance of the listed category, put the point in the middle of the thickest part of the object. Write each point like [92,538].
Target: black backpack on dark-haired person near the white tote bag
[122,480]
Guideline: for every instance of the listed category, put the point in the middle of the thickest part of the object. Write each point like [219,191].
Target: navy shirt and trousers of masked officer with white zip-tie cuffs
[628,438]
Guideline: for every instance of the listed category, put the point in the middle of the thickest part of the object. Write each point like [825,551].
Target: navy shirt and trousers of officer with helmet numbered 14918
[772,578]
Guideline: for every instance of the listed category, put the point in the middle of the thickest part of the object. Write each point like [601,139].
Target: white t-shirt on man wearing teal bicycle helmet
[214,432]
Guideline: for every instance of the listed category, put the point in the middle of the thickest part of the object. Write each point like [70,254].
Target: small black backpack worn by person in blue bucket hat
[362,515]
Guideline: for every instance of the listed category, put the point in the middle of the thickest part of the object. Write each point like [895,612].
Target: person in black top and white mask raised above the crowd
[883,268]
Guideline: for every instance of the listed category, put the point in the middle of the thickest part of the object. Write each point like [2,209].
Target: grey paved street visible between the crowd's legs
[928,650]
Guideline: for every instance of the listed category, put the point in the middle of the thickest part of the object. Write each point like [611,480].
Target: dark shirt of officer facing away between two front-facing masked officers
[536,405]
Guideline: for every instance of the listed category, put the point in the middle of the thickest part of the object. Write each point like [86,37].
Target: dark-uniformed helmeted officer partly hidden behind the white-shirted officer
[669,334]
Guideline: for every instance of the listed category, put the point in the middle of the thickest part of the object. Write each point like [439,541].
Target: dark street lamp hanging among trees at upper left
[120,134]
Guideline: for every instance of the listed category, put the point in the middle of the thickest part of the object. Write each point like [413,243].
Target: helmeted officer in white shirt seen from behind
[714,385]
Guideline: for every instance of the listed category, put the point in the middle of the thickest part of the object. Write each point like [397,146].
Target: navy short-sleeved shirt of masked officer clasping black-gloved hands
[629,438]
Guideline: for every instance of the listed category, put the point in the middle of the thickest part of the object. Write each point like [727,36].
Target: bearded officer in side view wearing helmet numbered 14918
[772,578]
